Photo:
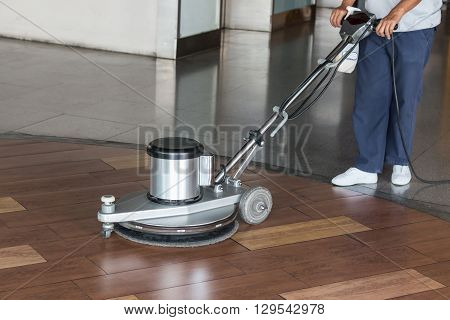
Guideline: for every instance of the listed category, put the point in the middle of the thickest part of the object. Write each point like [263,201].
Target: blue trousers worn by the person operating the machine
[374,116]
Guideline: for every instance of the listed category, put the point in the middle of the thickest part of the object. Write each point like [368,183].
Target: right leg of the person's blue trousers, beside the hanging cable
[412,50]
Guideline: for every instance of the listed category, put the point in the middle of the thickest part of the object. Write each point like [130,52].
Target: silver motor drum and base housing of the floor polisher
[183,197]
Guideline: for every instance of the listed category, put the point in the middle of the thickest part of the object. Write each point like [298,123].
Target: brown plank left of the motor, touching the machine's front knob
[76,196]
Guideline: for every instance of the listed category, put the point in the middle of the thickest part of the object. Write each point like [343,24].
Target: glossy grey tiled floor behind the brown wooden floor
[217,96]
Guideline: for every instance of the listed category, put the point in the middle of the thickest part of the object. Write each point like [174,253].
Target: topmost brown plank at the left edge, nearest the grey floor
[36,148]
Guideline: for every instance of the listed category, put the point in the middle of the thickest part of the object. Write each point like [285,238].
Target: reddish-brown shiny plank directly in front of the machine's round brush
[147,256]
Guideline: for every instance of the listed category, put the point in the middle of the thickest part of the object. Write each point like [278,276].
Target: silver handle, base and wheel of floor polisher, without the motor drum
[219,204]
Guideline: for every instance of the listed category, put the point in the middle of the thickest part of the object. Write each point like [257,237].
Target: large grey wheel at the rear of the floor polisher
[255,205]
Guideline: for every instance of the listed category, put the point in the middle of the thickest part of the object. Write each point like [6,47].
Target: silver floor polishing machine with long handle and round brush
[189,203]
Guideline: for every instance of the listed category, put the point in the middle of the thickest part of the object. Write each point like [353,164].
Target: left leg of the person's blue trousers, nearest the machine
[372,102]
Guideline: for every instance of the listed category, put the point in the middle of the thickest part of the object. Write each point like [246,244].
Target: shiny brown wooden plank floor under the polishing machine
[320,242]
